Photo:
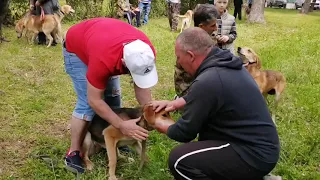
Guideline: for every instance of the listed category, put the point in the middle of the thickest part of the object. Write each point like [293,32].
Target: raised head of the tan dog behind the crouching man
[249,57]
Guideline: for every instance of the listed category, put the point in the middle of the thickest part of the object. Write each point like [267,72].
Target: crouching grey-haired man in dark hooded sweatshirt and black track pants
[237,138]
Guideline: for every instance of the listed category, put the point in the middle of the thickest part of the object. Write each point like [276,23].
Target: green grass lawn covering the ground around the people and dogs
[38,99]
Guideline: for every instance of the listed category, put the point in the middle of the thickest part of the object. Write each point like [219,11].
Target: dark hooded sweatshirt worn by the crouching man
[224,103]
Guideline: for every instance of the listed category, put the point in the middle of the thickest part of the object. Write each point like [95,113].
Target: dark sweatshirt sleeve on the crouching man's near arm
[202,101]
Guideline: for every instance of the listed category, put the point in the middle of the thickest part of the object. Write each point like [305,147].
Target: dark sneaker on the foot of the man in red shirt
[73,162]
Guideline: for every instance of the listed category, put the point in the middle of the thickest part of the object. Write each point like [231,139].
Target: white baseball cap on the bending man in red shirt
[139,59]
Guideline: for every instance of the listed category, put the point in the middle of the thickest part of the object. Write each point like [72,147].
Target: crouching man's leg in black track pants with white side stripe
[210,160]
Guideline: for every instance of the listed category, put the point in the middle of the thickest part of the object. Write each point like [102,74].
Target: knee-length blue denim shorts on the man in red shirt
[77,70]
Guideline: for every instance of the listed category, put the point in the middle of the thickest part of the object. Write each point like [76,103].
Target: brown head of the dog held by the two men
[149,117]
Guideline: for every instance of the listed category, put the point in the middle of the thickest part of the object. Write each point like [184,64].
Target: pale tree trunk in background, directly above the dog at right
[257,12]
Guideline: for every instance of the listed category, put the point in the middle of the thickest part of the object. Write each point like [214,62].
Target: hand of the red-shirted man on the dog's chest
[131,129]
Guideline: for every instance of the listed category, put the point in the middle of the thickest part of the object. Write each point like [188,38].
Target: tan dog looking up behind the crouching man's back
[269,82]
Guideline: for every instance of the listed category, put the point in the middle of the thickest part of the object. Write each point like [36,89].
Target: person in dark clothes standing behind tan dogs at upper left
[49,7]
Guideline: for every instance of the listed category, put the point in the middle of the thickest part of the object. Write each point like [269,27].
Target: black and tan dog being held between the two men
[102,134]
